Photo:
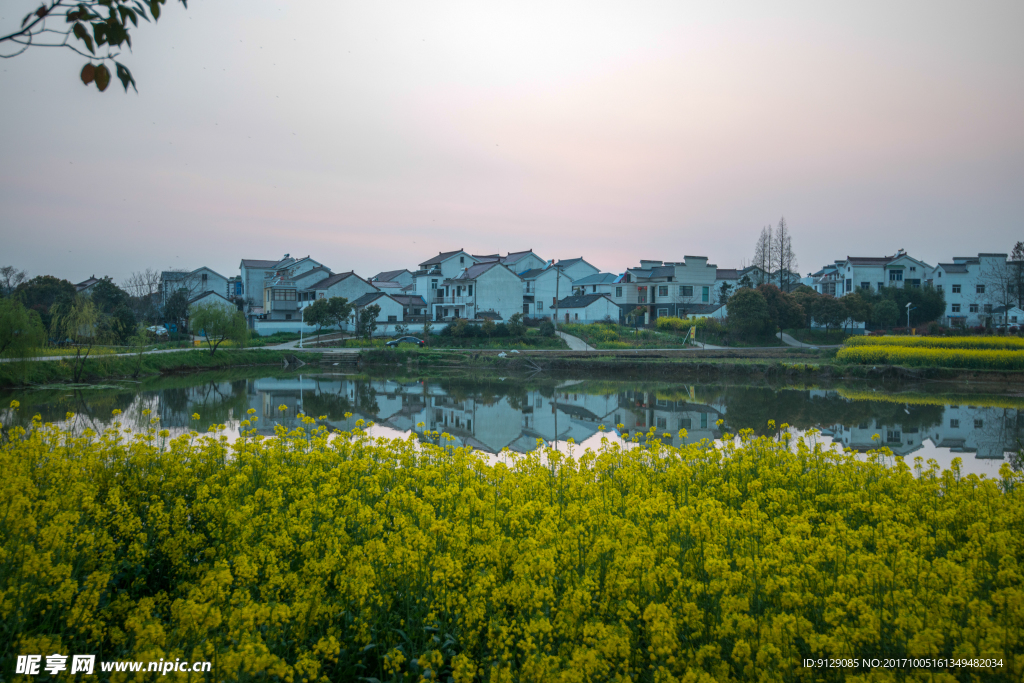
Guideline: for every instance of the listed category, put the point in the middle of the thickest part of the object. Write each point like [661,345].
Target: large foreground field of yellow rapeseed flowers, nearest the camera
[339,558]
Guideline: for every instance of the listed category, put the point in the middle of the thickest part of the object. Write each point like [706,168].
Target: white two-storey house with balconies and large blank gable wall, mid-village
[483,290]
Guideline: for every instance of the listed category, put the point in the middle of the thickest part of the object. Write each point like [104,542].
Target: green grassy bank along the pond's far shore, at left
[52,372]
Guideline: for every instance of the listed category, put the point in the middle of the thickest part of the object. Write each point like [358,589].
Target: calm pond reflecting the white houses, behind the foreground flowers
[491,413]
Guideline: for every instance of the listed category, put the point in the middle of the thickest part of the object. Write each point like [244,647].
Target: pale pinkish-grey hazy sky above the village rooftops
[374,136]
